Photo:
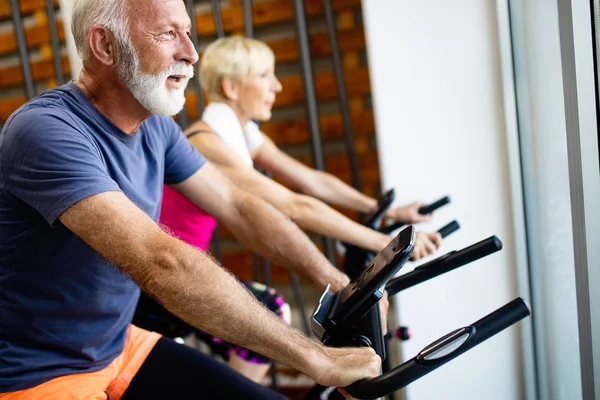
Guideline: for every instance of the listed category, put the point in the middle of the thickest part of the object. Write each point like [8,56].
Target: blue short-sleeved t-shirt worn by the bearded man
[63,308]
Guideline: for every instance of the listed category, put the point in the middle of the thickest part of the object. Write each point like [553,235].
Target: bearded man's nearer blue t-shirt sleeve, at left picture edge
[49,163]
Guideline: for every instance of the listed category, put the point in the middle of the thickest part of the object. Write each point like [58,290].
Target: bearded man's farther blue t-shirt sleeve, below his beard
[182,159]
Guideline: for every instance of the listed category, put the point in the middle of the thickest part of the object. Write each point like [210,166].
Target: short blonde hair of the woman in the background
[233,57]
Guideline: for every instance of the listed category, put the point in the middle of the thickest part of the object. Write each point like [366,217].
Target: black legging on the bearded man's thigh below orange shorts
[177,371]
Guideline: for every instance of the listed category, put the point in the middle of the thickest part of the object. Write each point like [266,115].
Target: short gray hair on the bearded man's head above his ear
[112,14]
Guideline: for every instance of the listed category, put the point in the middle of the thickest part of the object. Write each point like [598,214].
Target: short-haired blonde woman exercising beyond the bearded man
[238,76]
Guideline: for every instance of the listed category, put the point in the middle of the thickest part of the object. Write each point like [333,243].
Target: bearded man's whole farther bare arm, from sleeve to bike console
[260,226]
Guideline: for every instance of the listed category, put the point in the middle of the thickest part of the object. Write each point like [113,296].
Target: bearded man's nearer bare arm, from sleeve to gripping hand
[191,285]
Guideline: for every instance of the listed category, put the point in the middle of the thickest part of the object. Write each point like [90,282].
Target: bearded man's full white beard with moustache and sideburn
[151,90]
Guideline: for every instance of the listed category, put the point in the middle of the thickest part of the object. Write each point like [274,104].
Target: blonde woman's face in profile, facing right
[256,94]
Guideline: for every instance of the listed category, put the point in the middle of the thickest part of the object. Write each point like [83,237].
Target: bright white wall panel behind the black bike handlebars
[436,87]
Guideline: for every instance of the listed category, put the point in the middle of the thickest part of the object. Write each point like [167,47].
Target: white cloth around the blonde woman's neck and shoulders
[224,122]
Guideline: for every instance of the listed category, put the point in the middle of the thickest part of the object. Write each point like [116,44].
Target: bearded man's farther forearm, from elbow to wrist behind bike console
[270,233]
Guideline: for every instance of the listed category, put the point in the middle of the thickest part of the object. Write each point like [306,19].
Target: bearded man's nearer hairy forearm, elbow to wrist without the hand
[191,285]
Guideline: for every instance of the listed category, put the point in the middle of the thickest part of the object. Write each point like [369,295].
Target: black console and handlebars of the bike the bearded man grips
[350,318]
